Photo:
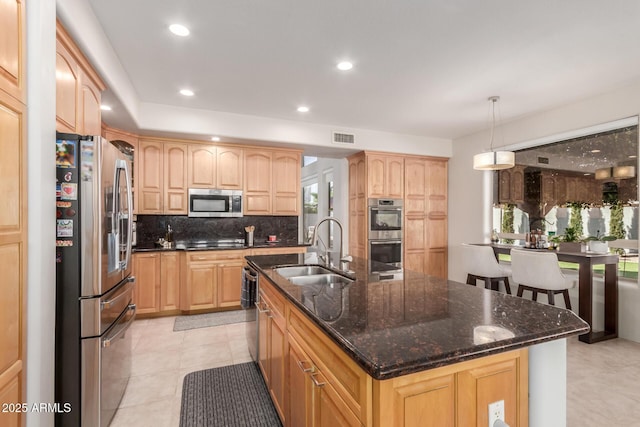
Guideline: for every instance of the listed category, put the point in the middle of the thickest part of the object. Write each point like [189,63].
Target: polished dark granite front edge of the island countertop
[431,361]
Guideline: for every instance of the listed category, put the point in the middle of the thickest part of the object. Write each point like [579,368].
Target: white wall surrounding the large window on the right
[469,190]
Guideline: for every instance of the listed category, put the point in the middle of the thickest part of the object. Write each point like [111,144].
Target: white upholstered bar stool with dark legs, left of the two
[481,264]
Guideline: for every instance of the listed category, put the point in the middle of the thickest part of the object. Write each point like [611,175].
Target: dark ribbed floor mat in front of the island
[229,396]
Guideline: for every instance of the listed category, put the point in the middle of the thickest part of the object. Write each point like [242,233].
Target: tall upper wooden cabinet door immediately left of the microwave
[175,179]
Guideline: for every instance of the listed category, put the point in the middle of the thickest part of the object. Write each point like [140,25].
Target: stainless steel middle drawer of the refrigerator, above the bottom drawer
[98,314]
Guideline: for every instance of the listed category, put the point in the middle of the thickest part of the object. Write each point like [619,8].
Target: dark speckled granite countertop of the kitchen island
[419,322]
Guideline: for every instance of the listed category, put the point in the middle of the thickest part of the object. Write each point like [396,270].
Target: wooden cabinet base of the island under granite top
[314,383]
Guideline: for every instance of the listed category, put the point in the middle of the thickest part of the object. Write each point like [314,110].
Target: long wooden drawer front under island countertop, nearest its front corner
[345,376]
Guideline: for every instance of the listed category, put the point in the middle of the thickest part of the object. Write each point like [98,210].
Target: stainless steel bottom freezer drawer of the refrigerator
[105,370]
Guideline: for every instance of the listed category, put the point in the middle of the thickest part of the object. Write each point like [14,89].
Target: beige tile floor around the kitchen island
[603,384]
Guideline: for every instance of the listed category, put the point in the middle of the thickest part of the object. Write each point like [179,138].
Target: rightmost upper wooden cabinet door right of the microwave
[286,183]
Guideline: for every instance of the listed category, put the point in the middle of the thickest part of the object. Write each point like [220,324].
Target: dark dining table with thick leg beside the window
[586,261]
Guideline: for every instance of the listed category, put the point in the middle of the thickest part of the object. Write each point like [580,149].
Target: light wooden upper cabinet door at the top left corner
[13,48]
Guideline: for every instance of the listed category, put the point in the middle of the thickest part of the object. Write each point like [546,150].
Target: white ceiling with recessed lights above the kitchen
[421,67]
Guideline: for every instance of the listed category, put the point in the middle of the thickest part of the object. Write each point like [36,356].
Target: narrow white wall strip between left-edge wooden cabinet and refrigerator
[41,282]
